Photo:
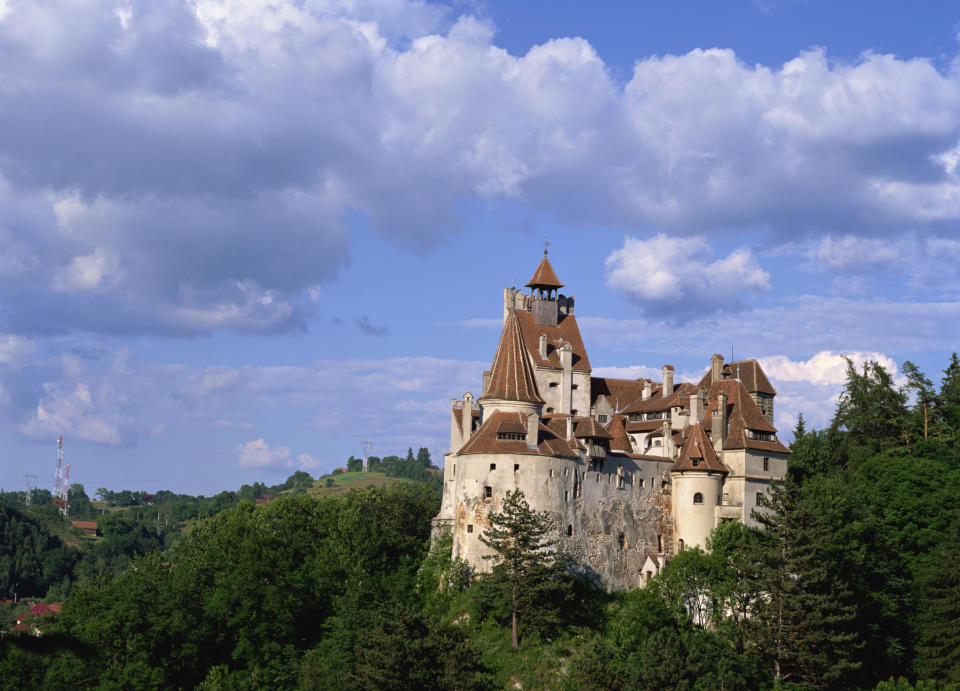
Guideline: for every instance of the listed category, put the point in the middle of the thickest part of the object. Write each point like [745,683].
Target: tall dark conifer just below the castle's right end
[804,619]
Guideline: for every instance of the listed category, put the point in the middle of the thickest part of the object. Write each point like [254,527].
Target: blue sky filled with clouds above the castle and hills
[239,238]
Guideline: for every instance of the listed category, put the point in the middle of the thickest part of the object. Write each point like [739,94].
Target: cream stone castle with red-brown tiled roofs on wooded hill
[631,471]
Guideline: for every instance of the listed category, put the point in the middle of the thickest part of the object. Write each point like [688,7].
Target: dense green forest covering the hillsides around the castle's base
[852,582]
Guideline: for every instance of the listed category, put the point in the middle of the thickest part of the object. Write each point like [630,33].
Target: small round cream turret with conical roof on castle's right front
[698,477]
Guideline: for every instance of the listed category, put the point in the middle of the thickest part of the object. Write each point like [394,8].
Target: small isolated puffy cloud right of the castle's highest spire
[677,278]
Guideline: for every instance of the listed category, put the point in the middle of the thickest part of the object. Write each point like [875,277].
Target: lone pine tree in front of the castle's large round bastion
[526,570]
